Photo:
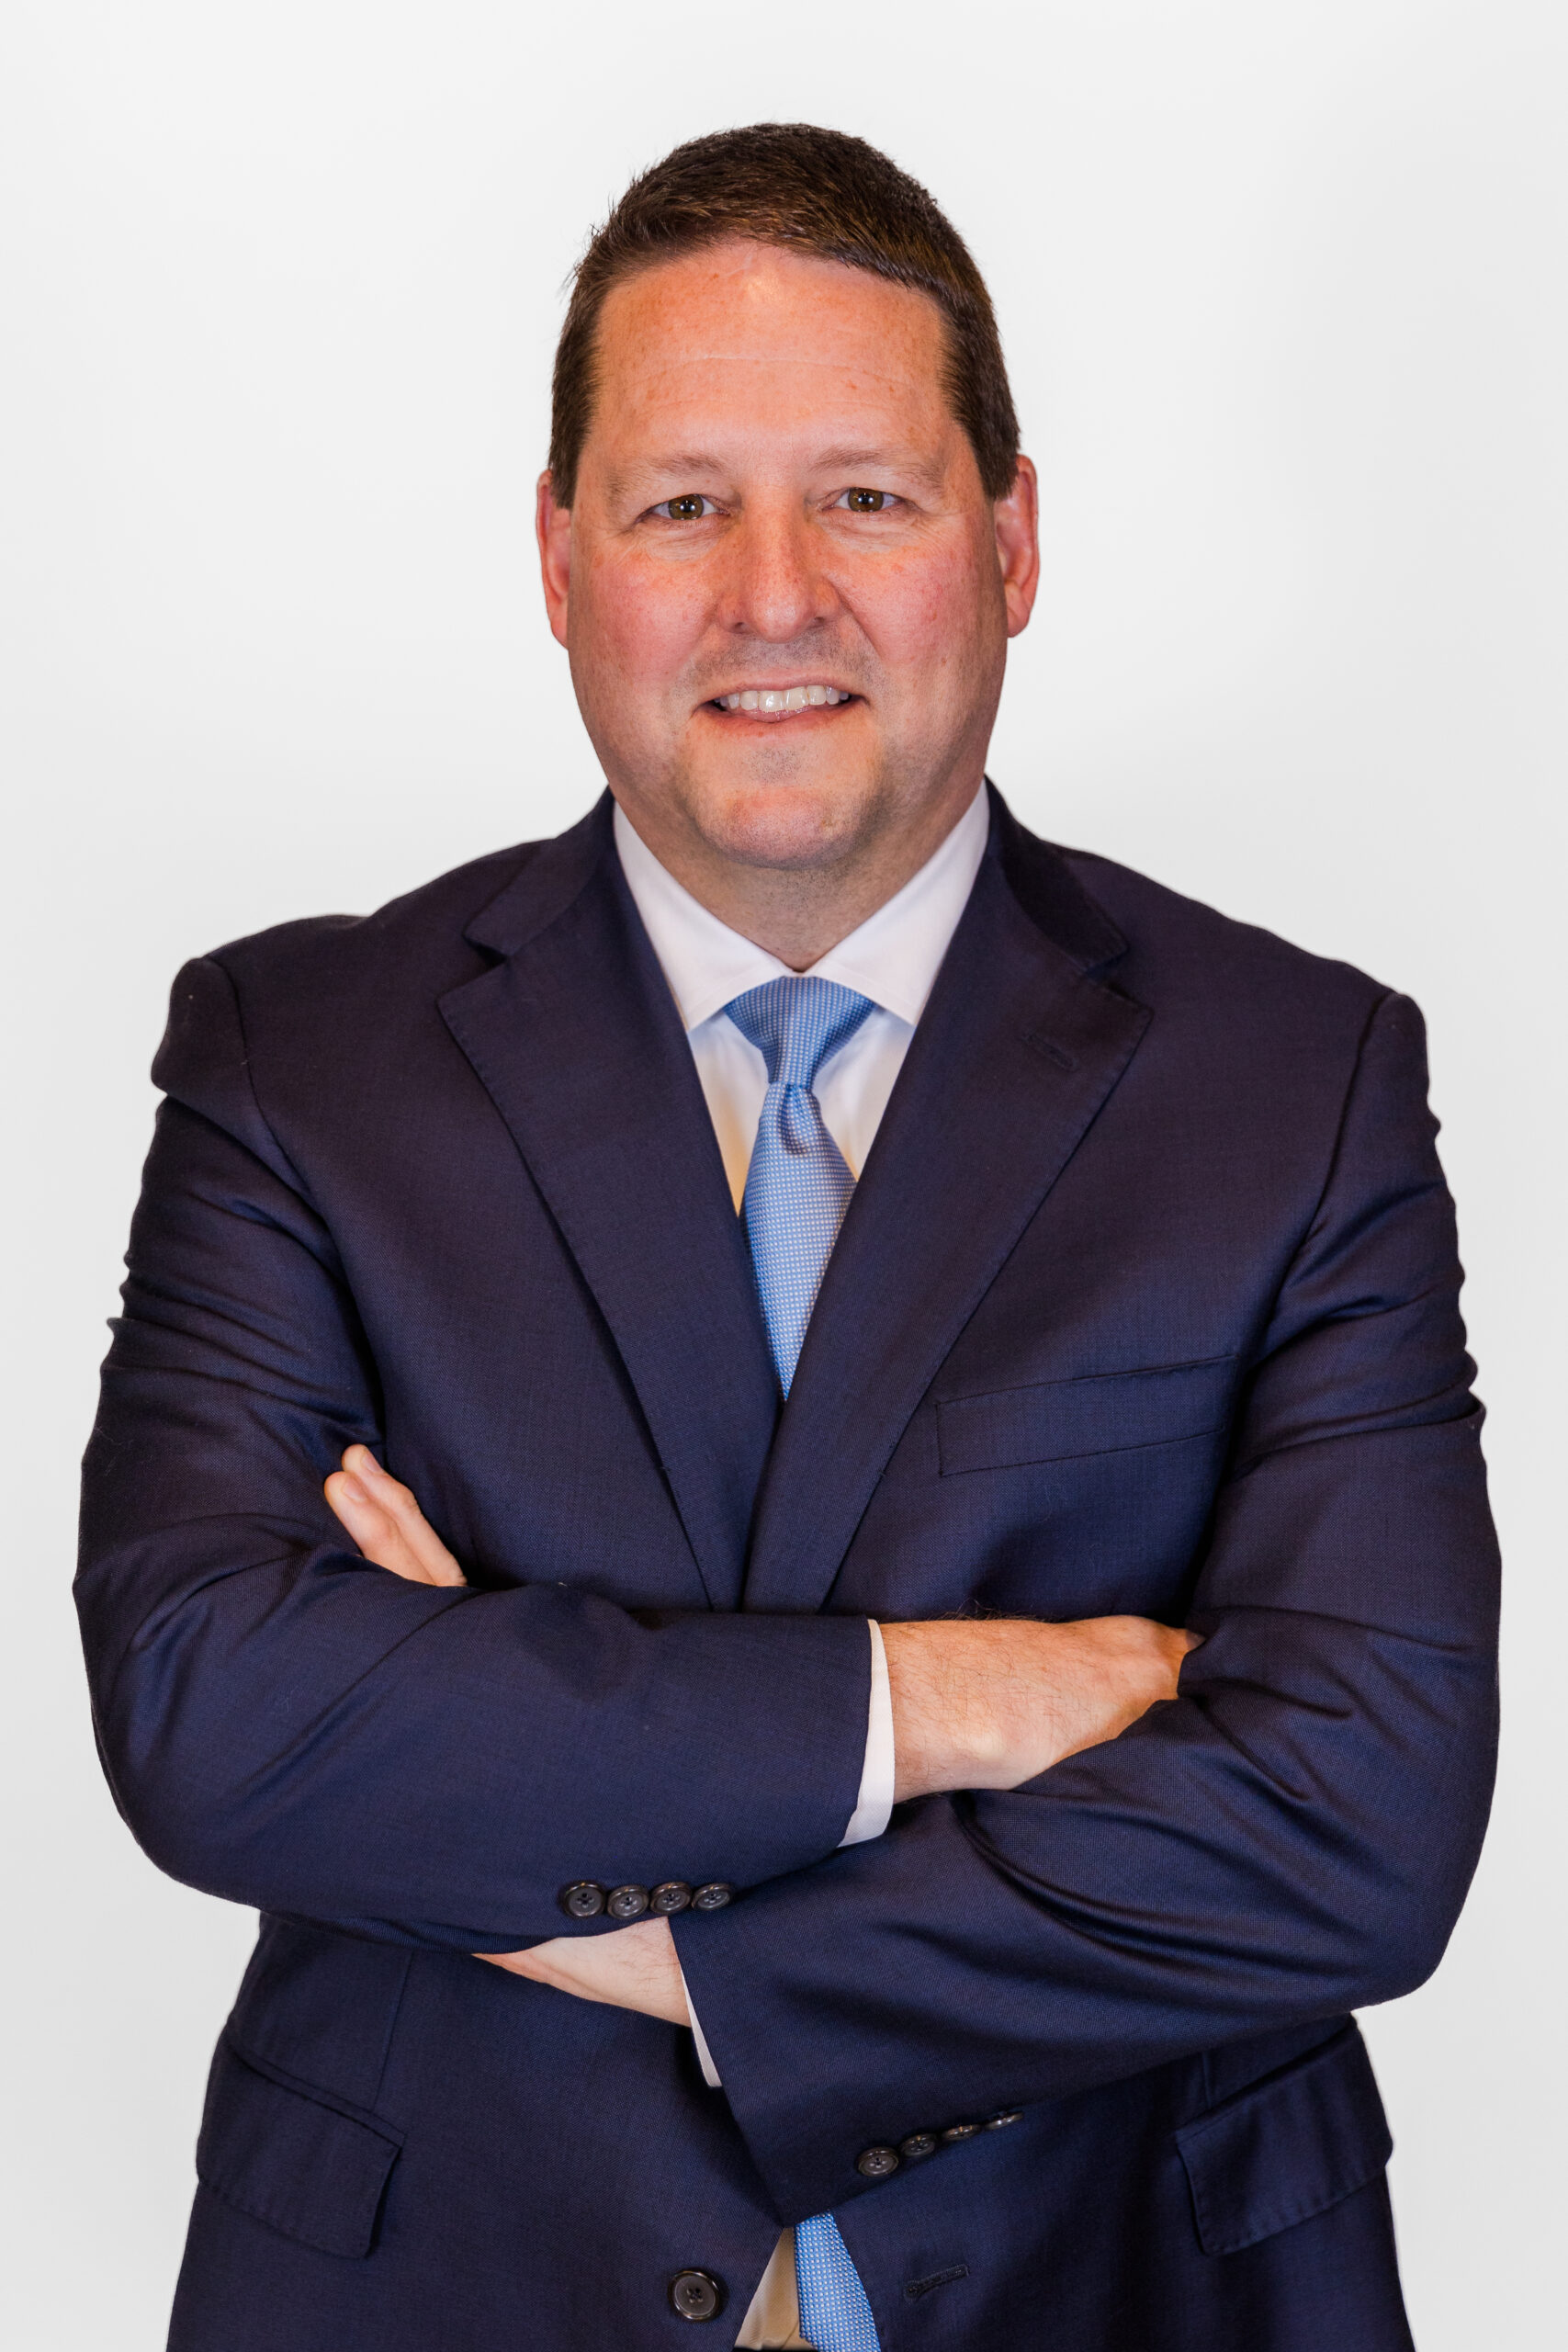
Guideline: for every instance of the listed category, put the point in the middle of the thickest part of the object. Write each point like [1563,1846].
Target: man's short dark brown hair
[822,194]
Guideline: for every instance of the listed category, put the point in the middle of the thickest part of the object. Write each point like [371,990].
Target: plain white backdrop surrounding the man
[1282,290]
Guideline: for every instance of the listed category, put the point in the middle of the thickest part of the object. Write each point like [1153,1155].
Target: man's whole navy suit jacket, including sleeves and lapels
[1146,1302]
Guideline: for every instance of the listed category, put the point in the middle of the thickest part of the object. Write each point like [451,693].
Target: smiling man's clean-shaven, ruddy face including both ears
[782,584]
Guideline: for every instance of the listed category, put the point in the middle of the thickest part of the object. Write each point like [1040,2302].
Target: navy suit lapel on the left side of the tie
[582,1050]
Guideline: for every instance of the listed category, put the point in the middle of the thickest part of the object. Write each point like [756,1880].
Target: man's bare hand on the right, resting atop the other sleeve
[993,1702]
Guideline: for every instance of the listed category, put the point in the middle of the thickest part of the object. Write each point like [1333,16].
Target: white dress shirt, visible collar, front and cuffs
[892,961]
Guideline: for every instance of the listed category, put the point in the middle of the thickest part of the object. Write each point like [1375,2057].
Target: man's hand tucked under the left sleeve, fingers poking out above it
[631,1970]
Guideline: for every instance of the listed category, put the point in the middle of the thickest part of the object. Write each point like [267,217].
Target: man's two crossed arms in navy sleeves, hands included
[1061,1904]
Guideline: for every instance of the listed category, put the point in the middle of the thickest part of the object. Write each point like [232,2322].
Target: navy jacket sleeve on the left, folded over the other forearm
[293,1728]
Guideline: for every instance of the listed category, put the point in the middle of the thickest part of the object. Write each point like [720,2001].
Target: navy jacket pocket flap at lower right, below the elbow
[1287,2149]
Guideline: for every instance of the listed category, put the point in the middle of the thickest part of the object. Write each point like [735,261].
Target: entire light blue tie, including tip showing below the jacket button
[796,1196]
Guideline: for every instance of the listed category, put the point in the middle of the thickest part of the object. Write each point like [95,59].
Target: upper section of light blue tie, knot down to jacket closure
[798,1187]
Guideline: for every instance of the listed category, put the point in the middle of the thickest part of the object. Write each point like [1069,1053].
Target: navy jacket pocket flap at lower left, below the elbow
[290,2160]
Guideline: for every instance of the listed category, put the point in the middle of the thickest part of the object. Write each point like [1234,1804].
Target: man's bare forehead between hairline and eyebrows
[770,340]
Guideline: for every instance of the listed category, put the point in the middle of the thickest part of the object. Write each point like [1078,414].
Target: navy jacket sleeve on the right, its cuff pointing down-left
[1287,1840]
